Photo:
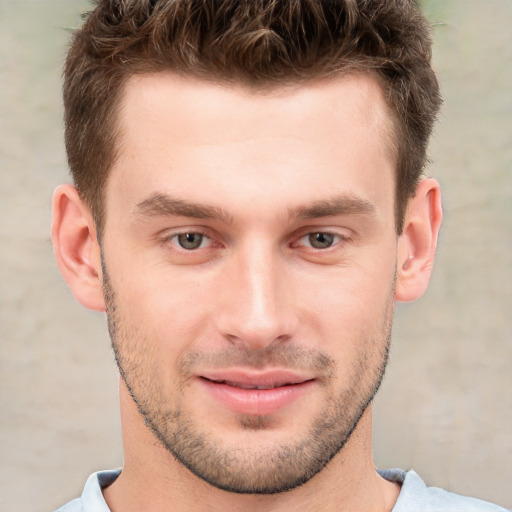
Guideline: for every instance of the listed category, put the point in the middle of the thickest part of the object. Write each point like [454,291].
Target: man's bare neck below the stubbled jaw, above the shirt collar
[152,480]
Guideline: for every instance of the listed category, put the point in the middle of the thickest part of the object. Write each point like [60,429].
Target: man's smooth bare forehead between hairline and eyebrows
[189,135]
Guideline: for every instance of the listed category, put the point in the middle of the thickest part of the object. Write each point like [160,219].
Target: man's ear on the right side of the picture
[418,242]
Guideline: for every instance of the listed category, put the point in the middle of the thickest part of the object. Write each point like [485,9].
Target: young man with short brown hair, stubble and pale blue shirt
[248,206]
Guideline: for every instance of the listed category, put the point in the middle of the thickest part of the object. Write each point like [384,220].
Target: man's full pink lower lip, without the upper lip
[256,401]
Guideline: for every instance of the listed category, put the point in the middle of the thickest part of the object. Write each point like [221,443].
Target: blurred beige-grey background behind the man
[445,408]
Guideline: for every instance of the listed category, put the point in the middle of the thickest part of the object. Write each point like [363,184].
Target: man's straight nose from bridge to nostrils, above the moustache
[257,308]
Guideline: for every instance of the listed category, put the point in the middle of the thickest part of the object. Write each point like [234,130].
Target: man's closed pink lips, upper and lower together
[255,393]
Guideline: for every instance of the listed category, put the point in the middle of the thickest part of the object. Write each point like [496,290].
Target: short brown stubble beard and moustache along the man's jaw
[246,469]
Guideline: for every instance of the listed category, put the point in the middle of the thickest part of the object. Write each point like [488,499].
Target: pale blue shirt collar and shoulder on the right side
[416,496]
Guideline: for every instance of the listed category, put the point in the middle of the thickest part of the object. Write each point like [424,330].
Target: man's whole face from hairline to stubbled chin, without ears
[249,256]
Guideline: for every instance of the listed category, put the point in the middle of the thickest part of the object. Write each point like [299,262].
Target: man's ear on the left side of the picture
[76,247]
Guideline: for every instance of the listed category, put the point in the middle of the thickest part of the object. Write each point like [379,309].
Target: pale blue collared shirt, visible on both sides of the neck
[415,496]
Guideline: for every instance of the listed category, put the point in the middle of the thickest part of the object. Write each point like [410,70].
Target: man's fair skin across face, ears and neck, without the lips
[257,294]
